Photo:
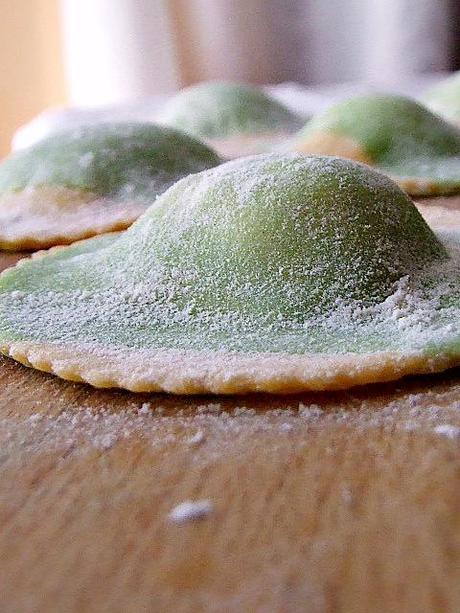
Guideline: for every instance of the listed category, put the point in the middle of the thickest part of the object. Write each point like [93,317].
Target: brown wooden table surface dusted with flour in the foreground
[327,502]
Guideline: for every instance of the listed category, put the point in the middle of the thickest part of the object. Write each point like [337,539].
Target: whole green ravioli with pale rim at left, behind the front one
[91,180]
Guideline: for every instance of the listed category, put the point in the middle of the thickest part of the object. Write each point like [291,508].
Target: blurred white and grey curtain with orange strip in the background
[90,53]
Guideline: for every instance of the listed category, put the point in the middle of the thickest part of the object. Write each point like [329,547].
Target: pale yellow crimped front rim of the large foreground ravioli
[194,372]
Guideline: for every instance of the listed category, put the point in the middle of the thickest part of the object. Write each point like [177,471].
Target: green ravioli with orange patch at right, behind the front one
[419,150]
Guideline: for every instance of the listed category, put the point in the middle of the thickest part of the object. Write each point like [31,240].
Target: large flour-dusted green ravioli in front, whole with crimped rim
[275,273]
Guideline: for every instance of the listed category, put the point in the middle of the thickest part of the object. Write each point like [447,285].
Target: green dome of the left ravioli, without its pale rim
[135,161]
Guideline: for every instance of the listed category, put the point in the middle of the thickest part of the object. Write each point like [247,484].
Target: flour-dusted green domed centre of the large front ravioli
[289,234]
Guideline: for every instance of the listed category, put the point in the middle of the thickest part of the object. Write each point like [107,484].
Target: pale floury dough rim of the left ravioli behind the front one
[62,206]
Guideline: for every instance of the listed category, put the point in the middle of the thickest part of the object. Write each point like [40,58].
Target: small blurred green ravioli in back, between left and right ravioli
[237,119]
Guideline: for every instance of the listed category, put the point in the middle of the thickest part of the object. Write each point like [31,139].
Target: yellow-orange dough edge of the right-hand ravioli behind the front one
[331,143]
